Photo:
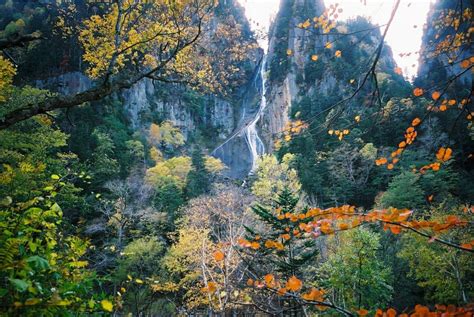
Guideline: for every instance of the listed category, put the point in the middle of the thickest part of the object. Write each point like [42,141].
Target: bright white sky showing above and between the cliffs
[403,36]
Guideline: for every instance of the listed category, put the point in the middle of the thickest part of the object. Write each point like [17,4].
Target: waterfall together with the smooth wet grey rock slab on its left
[242,148]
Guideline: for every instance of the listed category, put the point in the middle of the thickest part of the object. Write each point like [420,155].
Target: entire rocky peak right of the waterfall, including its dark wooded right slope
[305,77]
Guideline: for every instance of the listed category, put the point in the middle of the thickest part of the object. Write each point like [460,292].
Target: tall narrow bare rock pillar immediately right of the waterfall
[282,88]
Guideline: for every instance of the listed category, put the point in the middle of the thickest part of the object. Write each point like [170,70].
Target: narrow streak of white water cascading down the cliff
[254,142]
